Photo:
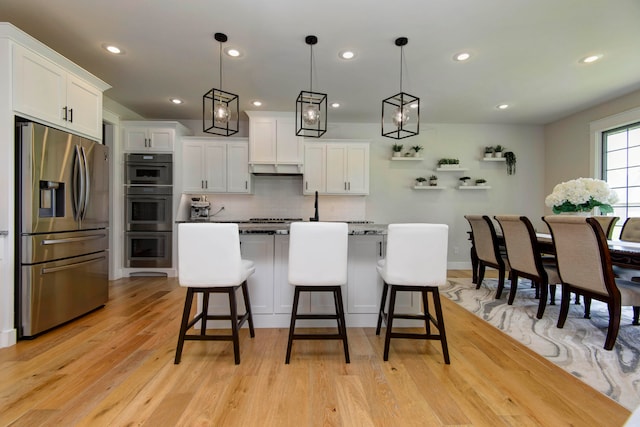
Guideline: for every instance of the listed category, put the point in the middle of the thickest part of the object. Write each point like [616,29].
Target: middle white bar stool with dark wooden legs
[318,263]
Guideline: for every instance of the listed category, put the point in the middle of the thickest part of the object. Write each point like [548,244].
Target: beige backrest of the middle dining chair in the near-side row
[520,242]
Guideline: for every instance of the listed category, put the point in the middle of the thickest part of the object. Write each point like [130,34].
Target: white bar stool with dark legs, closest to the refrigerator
[209,262]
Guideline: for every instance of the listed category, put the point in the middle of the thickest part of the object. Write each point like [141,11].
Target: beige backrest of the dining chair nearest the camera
[582,253]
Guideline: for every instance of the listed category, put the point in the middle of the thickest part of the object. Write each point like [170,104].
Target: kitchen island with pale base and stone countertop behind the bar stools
[272,296]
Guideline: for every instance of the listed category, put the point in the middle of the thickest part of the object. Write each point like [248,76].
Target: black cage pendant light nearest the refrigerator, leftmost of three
[220,113]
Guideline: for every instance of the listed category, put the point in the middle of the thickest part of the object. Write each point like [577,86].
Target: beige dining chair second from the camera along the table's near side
[526,261]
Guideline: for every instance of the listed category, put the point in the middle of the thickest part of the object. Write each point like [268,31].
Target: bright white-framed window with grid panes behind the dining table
[621,169]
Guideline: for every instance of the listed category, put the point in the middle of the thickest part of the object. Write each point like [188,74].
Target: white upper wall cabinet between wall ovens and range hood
[212,165]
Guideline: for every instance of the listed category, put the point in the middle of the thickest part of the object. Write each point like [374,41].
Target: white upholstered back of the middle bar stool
[318,253]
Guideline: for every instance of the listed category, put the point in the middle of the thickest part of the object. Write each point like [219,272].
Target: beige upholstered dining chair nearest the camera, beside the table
[584,265]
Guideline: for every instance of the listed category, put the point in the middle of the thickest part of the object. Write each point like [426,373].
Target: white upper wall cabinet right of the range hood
[337,167]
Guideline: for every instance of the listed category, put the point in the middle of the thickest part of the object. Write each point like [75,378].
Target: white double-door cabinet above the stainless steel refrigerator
[48,92]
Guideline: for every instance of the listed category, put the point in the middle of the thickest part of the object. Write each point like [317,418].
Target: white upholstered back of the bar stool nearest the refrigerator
[209,255]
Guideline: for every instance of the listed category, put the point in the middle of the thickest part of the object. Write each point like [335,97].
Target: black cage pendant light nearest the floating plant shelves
[401,112]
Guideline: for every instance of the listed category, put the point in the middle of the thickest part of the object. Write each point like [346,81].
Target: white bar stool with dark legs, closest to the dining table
[416,261]
